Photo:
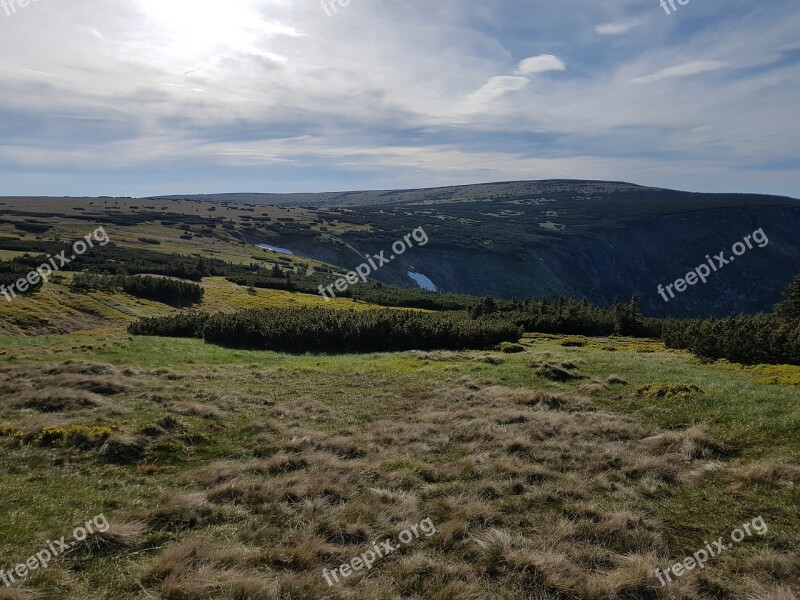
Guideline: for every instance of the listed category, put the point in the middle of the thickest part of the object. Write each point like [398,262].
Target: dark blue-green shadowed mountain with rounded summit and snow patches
[600,240]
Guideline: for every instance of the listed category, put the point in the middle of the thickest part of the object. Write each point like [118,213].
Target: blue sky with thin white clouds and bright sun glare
[150,97]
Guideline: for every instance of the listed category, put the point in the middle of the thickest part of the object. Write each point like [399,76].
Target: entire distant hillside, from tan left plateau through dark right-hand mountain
[599,240]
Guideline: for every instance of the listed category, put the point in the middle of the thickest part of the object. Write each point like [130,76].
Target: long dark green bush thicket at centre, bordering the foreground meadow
[300,330]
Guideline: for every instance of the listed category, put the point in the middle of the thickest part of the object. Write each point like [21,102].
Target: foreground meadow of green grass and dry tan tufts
[556,473]
